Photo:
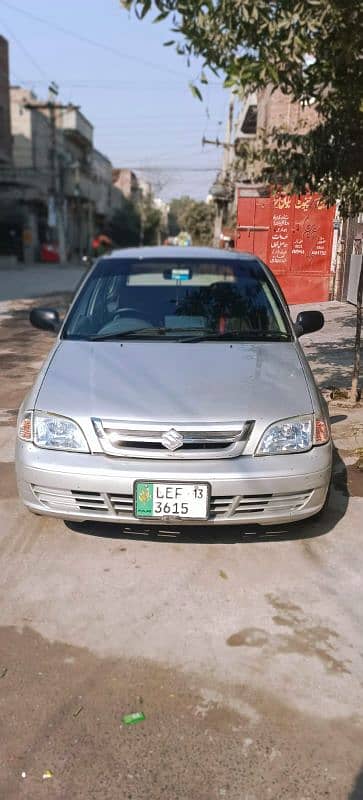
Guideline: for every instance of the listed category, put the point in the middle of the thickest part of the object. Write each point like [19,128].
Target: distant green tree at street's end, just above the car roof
[190,215]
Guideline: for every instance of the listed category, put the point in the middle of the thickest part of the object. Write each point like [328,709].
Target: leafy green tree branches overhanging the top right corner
[311,50]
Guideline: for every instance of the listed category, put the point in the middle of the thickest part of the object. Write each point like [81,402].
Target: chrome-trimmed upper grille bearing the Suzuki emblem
[151,440]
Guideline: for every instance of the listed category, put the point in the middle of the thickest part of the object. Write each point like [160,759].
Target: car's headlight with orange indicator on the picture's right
[295,435]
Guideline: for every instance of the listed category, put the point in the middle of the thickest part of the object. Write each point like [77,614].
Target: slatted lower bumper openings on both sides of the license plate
[121,506]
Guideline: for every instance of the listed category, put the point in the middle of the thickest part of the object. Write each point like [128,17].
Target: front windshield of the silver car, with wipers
[186,299]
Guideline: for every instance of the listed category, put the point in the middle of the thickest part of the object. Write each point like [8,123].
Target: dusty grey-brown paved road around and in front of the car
[243,649]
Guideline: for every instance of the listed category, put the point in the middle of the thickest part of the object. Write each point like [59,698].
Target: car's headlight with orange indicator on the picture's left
[52,432]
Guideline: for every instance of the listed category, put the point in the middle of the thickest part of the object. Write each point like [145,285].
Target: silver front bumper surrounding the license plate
[263,490]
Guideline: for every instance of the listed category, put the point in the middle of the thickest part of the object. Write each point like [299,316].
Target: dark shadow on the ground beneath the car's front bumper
[233,534]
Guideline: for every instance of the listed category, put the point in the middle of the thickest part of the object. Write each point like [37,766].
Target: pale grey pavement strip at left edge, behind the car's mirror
[35,280]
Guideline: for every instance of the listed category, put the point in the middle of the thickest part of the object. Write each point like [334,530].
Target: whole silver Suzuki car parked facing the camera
[176,390]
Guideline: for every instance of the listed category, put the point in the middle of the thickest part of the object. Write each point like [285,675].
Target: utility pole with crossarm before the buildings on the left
[56,195]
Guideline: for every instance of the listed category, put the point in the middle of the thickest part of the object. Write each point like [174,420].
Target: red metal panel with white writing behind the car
[293,236]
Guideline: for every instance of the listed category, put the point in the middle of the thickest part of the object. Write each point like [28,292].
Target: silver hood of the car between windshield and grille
[175,382]
